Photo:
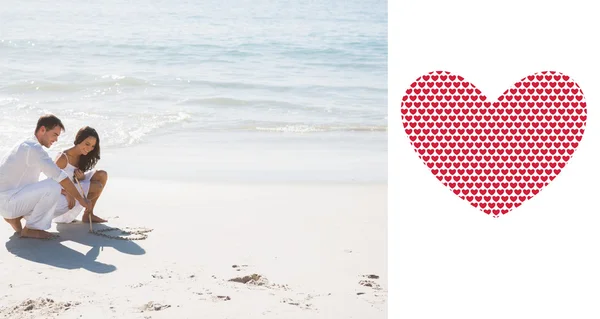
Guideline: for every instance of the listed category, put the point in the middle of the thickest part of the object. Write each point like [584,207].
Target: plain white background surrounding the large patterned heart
[448,259]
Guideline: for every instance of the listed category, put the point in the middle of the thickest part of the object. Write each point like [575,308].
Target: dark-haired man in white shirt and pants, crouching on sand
[22,195]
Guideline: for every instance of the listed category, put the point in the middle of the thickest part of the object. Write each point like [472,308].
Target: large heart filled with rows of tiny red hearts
[495,155]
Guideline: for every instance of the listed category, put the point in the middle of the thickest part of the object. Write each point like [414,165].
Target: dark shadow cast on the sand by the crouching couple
[54,253]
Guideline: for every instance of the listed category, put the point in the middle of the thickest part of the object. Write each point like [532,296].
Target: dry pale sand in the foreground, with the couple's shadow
[312,242]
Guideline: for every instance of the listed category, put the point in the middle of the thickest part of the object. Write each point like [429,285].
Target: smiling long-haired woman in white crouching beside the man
[79,162]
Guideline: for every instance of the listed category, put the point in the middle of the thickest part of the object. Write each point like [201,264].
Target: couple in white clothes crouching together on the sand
[24,196]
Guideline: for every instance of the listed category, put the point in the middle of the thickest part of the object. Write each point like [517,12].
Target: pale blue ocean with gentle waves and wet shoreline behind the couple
[254,76]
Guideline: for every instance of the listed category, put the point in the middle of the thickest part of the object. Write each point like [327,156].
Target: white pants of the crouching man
[35,202]
